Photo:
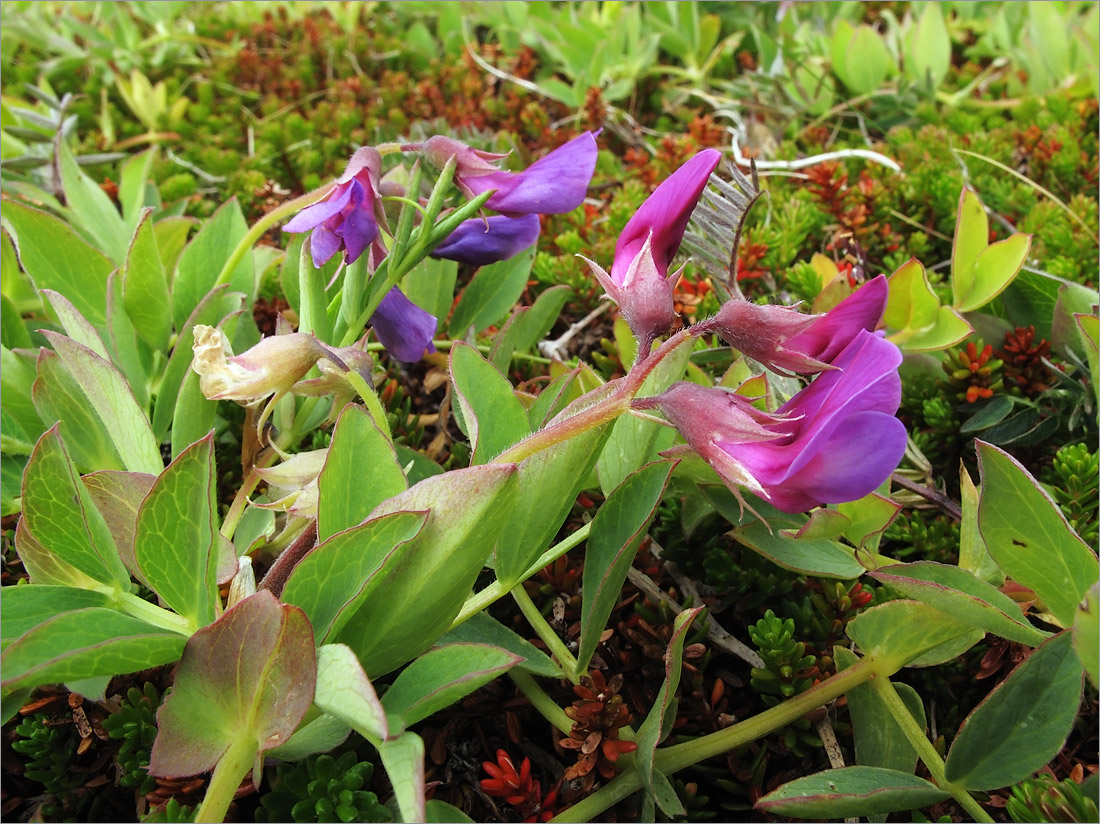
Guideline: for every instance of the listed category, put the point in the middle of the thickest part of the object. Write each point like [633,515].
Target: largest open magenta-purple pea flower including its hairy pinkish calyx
[835,442]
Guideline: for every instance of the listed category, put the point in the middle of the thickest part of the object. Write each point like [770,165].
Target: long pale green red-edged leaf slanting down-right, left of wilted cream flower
[111,397]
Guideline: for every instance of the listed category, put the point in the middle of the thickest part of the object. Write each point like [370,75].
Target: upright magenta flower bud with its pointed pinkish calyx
[640,281]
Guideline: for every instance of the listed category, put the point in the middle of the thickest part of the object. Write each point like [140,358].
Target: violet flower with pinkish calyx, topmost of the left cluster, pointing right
[553,185]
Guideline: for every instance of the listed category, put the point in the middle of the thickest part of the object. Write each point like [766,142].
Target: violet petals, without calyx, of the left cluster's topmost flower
[554,185]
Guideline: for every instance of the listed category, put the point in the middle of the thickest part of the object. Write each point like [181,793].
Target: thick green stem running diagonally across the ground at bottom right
[672,760]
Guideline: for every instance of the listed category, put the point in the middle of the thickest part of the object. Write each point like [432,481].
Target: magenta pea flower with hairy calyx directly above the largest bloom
[786,340]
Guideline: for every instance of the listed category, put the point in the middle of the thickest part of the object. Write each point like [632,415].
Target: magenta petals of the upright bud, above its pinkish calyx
[665,215]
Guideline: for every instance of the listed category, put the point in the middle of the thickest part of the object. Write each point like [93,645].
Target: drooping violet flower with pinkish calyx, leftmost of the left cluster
[348,218]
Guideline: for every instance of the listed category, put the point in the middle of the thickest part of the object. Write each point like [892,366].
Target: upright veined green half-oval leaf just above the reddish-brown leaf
[177,535]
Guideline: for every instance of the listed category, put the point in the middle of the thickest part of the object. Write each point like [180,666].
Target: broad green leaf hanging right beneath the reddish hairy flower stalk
[549,482]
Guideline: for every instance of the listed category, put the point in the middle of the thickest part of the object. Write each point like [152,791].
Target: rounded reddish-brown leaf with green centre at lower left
[245,682]
